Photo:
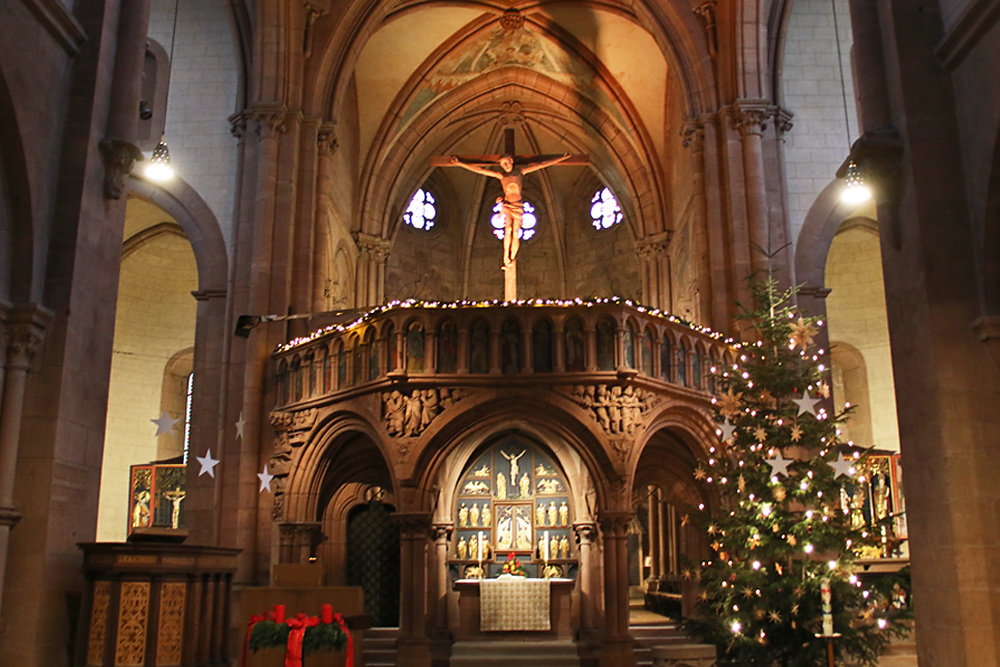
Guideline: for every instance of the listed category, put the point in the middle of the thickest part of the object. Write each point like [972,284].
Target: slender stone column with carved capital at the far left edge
[23,336]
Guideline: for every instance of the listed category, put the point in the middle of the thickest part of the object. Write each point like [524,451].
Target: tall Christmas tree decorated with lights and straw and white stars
[780,585]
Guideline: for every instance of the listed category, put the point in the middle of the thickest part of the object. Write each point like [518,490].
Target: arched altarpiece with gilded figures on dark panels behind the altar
[513,500]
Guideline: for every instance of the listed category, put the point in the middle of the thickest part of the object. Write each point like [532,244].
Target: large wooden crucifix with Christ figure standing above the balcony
[512,167]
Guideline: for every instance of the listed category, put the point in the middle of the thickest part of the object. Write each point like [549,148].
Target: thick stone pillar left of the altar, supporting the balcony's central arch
[413,646]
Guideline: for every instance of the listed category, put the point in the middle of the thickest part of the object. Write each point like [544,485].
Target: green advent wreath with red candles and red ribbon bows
[300,635]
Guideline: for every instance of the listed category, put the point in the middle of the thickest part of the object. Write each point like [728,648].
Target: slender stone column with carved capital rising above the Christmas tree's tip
[750,117]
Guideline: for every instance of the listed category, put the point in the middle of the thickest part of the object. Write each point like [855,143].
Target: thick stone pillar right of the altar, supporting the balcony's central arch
[616,644]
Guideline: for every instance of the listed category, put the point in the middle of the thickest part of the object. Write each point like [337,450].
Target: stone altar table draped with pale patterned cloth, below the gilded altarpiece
[491,609]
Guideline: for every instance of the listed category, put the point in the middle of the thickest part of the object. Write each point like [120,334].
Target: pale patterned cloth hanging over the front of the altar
[514,603]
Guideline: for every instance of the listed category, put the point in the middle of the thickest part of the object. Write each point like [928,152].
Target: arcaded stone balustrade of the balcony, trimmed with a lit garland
[590,339]
